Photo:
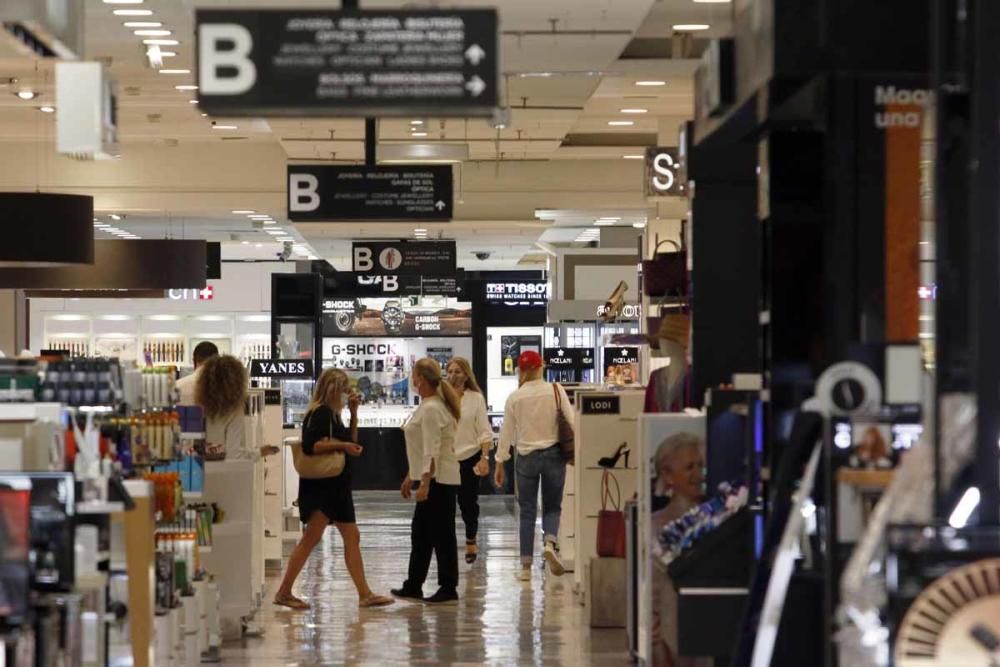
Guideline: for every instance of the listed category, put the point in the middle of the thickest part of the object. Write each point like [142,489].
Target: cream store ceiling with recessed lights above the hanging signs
[179,177]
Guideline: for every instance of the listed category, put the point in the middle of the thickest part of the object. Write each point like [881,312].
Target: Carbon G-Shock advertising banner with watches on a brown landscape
[395,317]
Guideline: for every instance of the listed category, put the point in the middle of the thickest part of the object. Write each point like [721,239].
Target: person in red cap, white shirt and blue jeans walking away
[529,421]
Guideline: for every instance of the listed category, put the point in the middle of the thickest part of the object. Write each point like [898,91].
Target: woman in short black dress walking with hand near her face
[329,501]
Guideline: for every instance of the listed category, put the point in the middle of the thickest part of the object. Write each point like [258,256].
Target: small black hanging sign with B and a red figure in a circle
[413,258]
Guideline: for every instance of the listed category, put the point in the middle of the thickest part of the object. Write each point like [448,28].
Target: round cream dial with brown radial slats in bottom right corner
[955,620]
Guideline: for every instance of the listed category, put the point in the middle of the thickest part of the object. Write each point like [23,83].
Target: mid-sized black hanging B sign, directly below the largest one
[326,193]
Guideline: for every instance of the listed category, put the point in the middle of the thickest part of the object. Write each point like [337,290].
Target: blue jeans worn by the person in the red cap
[546,468]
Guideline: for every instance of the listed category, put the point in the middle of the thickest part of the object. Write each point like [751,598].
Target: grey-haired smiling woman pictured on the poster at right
[680,463]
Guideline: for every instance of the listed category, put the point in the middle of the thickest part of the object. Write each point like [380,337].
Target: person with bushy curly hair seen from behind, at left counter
[221,392]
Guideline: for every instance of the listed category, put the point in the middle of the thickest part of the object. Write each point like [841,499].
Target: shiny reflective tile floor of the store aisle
[498,621]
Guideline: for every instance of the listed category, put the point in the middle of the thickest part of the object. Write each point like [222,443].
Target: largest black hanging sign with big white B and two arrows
[397,62]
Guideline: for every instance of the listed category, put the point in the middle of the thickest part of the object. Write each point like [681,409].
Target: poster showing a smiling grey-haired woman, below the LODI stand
[673,462]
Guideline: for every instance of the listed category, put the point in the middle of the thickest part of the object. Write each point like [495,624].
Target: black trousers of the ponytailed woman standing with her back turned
[433,531]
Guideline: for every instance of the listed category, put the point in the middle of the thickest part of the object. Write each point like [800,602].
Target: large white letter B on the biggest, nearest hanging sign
[239,43]
